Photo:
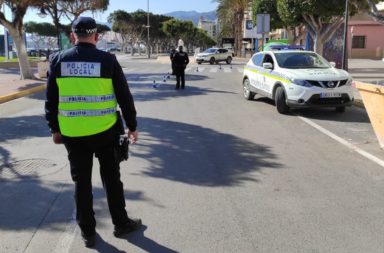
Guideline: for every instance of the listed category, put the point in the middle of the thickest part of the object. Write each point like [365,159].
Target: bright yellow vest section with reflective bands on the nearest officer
[87,105]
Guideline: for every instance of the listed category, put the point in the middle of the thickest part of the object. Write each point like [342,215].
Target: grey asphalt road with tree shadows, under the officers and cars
[211,172]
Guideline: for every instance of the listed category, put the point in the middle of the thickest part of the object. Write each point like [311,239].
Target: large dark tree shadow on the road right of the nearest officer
[200,156]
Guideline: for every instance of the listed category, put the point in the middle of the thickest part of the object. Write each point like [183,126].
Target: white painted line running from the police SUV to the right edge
[344,142]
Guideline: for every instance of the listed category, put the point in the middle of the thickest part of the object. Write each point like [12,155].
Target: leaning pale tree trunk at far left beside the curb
[25,69]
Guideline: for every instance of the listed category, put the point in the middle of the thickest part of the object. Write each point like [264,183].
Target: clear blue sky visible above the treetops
[155,6]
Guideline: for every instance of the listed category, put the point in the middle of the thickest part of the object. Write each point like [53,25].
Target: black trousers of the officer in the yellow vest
[80,154]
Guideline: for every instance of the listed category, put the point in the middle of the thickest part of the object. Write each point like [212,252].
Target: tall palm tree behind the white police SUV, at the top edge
[231,15]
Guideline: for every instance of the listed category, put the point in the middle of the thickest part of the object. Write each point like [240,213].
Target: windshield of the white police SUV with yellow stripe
[297,60]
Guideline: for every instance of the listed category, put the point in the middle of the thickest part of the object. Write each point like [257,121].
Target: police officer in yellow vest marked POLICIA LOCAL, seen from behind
[83,89]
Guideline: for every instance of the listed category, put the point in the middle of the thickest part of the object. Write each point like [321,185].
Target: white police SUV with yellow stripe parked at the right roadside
[297,79]
